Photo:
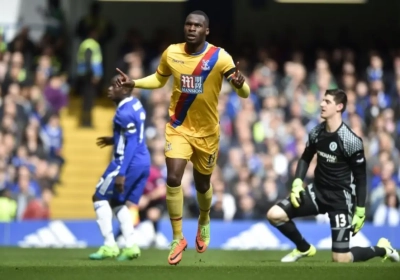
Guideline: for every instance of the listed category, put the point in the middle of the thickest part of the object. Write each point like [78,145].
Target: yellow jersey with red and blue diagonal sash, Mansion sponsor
[197,84]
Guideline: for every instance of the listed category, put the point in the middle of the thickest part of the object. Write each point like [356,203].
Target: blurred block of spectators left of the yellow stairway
[33,90]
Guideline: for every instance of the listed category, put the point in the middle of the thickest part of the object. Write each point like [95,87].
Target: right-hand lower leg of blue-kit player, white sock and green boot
[124,217]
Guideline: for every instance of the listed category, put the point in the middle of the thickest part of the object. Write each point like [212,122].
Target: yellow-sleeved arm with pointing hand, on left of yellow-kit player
[150,82]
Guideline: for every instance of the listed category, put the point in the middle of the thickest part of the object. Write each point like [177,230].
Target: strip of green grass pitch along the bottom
[73,264]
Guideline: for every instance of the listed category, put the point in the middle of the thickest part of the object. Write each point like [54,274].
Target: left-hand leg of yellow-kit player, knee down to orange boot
[175,169]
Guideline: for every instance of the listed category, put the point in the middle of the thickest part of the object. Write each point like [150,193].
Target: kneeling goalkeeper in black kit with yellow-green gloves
[339,189]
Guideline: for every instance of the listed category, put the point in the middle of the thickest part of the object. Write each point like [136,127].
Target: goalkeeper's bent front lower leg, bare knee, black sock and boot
[278,218]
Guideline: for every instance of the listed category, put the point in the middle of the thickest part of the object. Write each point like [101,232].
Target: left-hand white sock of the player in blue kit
[104,220]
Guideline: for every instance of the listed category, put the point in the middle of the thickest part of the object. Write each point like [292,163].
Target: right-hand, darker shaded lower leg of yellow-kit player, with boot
[204,198]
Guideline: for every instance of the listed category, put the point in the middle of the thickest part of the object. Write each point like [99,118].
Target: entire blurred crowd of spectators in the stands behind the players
[262,137]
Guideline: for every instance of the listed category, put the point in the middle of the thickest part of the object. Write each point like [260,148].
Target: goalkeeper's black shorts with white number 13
[340,215]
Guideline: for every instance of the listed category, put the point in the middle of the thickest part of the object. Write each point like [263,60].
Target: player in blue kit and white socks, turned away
[125,178]
